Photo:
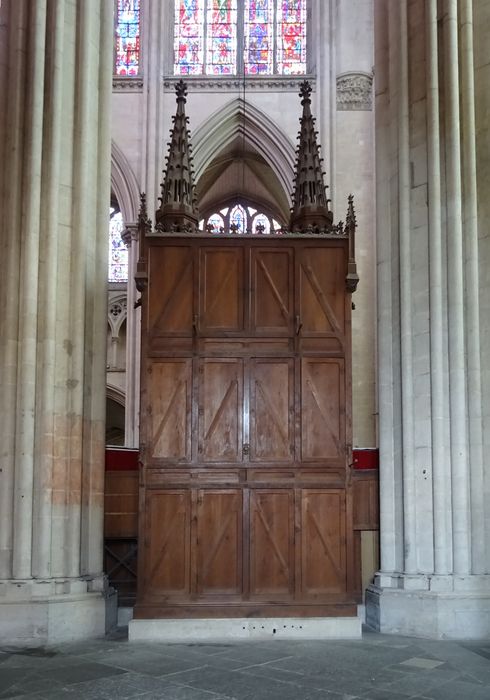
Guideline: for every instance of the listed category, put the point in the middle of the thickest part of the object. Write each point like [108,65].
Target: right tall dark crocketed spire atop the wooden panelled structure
[310,210]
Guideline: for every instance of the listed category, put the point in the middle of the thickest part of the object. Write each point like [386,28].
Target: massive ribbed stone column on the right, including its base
[434,571]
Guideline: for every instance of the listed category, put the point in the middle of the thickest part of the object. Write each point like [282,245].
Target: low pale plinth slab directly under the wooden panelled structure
[176,630]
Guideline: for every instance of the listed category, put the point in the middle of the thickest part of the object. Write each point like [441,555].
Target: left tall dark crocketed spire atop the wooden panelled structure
[178,209]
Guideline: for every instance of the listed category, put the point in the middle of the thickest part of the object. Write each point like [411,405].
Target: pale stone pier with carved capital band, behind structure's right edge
[353,173]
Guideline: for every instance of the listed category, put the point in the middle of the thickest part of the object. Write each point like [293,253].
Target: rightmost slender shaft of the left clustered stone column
[95,365]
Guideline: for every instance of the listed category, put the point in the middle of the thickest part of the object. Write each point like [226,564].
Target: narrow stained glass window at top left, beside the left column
[127,37]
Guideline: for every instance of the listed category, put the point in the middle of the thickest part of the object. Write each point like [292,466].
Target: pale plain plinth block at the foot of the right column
[434,615]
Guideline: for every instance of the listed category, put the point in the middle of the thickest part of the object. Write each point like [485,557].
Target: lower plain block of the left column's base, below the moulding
[52,620]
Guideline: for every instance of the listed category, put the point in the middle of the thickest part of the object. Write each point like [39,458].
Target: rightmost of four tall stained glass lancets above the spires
[291,42]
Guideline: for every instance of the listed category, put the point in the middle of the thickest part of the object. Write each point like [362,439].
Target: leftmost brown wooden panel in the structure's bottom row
[167,560]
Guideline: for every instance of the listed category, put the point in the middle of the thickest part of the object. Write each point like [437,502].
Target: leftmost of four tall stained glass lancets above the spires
[189,37]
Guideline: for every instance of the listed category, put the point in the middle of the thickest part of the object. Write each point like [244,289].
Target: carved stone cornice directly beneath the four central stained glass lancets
[209,83]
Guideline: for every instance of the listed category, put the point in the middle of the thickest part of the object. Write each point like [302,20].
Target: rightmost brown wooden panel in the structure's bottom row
[322,542]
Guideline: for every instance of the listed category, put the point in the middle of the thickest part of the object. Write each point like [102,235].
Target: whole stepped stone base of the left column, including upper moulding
[35,614]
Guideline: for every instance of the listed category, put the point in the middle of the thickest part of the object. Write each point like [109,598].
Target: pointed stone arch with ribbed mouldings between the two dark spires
[240,118]
